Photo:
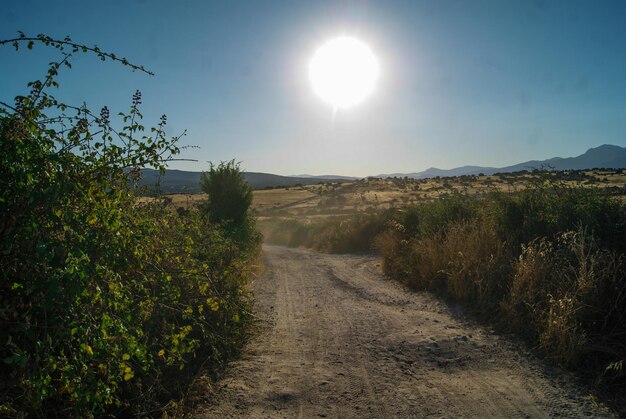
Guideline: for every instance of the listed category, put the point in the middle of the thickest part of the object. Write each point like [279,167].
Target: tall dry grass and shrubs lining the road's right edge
[547,263]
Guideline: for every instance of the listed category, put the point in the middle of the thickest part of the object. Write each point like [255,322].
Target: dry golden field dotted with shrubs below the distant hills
[324,200]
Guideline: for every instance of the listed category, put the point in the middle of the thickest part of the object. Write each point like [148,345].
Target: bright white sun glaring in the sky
[343,72]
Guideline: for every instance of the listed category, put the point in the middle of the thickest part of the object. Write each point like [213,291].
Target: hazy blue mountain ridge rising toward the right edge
[607,156]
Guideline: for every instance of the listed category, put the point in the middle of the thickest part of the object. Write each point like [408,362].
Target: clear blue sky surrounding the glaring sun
[463,82]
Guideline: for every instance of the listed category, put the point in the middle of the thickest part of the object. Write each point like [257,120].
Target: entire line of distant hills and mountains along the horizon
[604,156]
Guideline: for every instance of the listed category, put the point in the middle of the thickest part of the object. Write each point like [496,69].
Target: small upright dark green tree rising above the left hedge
[230,195]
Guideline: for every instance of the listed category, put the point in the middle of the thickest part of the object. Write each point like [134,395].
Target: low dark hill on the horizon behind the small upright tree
[181,181]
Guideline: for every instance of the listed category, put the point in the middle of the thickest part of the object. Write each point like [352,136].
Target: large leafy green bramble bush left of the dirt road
[107,305]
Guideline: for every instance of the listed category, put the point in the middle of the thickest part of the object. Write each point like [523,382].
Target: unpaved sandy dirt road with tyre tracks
[341,341]
